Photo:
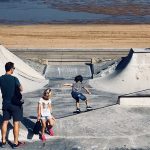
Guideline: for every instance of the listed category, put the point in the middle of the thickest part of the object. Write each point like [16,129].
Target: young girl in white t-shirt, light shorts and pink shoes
[44,113]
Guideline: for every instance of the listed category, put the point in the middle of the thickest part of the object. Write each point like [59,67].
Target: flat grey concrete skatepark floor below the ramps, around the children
[108,127]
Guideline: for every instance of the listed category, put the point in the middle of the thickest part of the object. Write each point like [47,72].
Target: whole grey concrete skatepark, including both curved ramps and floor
[110,126]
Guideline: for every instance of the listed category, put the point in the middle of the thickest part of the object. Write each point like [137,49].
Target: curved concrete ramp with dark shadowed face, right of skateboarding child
[131,74]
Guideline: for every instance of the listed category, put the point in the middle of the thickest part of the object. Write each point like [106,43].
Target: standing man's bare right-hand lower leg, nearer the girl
[16,131]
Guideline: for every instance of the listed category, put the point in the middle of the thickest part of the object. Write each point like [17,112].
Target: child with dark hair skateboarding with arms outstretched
[77,92]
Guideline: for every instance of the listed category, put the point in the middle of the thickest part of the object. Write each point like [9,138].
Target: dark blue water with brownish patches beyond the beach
[75,11]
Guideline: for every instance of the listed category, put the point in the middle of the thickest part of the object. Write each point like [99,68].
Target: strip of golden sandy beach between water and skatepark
[75,36]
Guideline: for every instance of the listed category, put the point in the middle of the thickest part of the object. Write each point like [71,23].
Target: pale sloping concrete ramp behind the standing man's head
[29,78]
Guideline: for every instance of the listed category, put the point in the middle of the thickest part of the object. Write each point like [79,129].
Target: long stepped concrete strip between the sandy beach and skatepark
[69,53]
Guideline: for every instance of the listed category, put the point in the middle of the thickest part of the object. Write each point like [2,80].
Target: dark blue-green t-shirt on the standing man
[7,85]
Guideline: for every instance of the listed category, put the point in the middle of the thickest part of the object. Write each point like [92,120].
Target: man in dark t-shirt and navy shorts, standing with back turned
[7,85]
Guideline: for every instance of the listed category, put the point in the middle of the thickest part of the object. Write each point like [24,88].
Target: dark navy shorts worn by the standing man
[12,111]
